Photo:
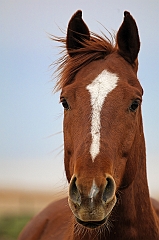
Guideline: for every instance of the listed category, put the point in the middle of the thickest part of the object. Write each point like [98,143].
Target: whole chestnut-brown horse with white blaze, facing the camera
[104,146]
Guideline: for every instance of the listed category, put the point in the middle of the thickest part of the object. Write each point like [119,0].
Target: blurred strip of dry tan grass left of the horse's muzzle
[17,202]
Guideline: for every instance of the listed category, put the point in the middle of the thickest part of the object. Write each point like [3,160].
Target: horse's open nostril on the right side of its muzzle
[109,189]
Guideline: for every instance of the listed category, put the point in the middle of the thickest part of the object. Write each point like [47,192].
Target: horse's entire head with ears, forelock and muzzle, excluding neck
[103,134]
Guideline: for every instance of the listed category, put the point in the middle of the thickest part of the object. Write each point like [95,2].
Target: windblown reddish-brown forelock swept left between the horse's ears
[94,49]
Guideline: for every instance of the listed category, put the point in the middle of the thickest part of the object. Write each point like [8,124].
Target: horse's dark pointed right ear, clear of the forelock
[128,41]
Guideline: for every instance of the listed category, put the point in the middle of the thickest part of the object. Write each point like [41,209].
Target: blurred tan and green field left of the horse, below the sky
[17,207]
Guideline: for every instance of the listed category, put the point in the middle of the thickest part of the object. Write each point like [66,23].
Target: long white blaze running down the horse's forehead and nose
[103,84]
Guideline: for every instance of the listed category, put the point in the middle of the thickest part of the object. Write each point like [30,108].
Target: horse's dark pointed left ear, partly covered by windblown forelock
[77,32]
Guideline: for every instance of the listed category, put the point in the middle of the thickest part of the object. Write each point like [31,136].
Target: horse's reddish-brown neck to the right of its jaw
[136,218]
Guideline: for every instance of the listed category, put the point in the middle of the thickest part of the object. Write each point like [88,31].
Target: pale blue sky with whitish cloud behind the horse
[31,140]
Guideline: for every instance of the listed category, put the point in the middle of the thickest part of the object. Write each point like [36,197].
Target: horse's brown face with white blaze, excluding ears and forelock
[101,121]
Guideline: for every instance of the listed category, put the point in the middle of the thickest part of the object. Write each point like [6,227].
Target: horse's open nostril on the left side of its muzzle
[74,193]
